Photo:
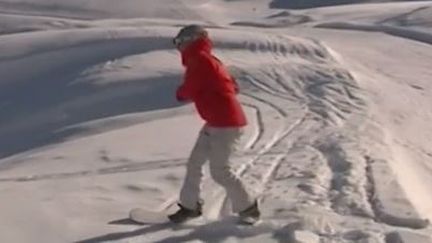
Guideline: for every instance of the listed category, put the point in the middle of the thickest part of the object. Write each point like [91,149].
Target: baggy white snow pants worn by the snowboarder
[215,145]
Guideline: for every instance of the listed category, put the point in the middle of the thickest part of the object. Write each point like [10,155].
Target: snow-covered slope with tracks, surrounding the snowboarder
[338,101]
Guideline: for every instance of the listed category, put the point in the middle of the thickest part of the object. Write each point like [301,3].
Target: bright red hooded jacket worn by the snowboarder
[208,84]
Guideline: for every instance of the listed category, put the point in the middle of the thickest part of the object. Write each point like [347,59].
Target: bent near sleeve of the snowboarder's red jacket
[195,79]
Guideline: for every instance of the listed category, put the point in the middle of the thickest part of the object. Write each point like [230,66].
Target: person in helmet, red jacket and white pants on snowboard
[210,87]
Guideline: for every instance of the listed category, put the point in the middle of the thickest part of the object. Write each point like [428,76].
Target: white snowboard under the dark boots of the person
[143,216]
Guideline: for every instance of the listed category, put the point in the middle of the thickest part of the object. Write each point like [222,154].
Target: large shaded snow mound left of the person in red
[69,62]
